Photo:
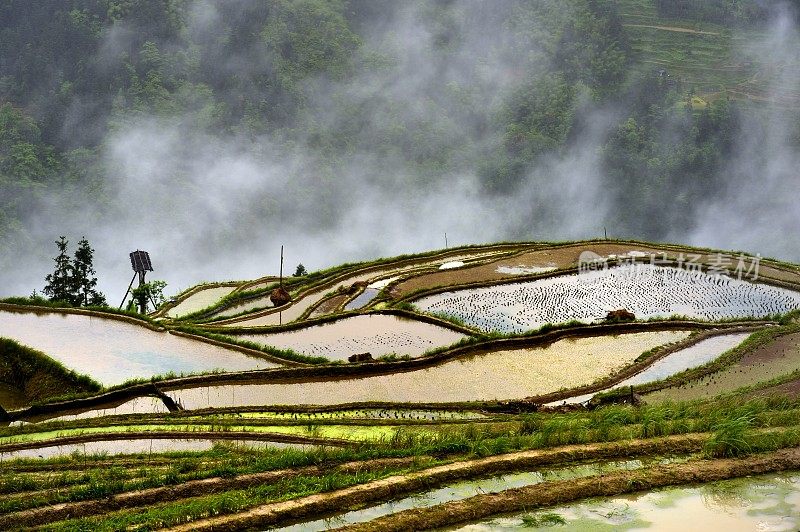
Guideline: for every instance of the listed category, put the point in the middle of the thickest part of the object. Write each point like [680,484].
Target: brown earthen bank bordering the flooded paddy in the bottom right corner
[561,492]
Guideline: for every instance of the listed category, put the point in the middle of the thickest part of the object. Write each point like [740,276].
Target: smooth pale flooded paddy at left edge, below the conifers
[113,351]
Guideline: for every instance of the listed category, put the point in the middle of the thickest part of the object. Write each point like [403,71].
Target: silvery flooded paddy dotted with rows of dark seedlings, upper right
[647,291]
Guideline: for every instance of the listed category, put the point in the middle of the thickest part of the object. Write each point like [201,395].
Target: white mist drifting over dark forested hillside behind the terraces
[212,133]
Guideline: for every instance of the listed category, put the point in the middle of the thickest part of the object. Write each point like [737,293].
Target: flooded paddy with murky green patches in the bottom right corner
[763,503]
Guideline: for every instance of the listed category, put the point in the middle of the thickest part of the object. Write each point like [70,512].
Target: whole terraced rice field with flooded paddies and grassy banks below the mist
[455,441]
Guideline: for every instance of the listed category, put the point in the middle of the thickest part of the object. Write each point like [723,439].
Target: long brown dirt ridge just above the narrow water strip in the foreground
[314,505]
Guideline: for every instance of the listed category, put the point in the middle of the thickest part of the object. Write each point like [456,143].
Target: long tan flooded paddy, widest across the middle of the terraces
[511,374]
